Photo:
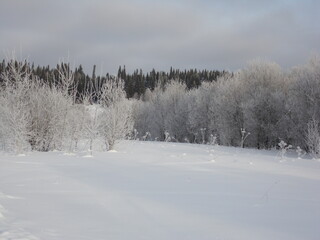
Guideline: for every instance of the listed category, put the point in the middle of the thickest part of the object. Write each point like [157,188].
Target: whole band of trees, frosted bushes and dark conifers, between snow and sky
[258,106]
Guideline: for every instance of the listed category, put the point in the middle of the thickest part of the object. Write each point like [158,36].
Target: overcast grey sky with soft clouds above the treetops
[160,33]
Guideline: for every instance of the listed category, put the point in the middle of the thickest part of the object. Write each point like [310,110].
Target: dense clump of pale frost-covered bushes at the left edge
[34,111]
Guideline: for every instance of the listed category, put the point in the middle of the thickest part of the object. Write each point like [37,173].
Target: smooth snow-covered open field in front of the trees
[153,190]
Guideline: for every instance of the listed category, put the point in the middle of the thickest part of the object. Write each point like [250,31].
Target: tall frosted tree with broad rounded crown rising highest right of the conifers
[264,88]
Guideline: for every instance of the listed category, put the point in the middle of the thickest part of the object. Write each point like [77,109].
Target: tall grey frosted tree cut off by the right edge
[303,102]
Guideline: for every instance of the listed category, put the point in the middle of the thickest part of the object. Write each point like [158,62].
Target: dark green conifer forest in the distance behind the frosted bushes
[135,83]
